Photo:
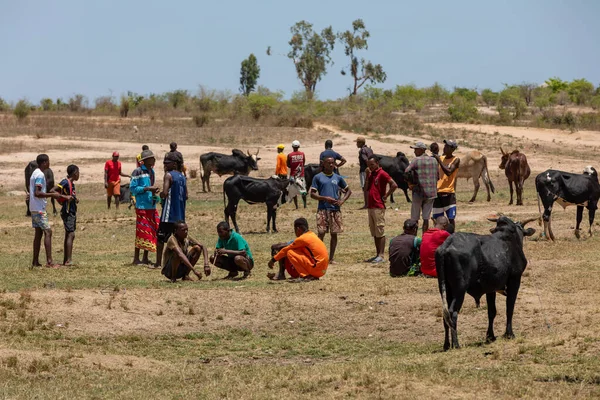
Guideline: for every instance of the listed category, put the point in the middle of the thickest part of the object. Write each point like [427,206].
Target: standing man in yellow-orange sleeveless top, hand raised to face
[445,202]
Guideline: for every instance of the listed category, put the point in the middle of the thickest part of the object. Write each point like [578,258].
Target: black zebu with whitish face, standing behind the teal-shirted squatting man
[273,191]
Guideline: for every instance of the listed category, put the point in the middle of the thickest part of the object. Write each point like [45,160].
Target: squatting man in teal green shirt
[232,252]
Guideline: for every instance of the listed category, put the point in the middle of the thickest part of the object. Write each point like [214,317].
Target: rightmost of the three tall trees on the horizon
[354,41]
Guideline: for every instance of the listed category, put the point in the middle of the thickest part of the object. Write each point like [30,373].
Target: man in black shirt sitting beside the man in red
[404,251]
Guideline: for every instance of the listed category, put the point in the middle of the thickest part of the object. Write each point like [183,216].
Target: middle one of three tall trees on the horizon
[310,53]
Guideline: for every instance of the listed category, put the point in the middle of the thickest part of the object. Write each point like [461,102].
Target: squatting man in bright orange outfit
[305,258]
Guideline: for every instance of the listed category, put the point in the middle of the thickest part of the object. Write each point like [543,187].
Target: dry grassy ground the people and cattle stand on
[106,329]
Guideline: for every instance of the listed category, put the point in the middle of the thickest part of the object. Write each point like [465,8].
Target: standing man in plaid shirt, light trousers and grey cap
[424,170]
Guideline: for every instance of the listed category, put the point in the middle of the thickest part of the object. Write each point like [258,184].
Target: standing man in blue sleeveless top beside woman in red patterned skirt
[174,196]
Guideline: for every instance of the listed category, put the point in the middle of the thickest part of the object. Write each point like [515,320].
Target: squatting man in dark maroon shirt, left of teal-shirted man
[179,259]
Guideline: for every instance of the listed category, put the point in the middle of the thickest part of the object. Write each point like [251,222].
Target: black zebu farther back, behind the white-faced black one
[237,163]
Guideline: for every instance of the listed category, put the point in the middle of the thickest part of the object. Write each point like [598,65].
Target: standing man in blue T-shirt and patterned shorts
[326,187]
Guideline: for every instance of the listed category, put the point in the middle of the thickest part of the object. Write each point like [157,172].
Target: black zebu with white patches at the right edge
[566,189]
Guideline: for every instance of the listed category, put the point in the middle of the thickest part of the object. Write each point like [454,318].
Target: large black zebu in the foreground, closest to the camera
[478,265]
